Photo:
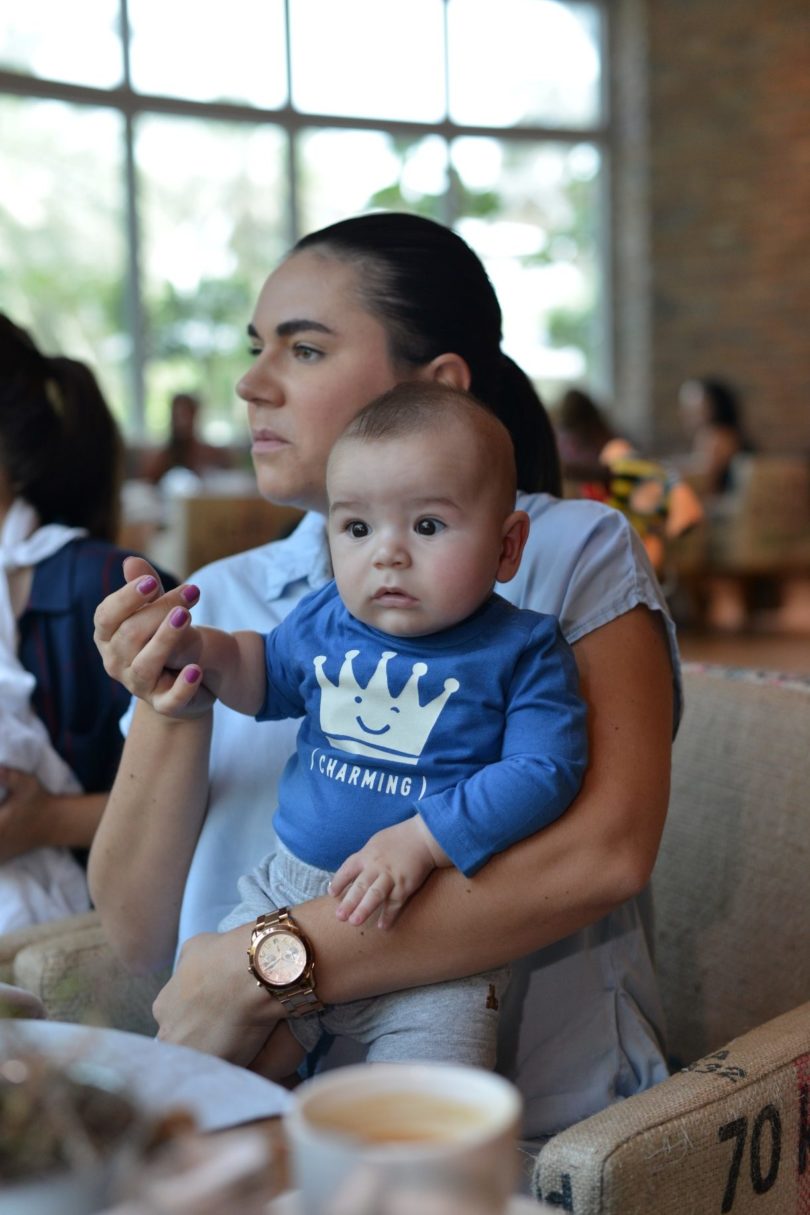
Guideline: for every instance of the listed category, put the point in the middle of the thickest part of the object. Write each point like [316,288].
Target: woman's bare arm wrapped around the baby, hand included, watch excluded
[599,854]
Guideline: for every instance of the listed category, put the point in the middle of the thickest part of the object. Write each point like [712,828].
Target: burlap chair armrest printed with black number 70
[729,1134]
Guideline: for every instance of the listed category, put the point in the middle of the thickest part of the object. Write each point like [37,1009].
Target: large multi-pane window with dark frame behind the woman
[160,159]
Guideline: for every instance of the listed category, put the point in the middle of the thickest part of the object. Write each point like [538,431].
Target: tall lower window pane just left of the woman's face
[213,218]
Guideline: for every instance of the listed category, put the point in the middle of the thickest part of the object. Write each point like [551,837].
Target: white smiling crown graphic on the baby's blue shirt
[371,721]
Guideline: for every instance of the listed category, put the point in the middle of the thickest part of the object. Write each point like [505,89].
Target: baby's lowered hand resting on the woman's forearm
[387,872]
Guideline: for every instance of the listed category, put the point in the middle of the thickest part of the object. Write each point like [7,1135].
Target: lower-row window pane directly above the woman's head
[345,173]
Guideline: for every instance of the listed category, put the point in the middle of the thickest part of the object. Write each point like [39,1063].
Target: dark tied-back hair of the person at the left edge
[60,445]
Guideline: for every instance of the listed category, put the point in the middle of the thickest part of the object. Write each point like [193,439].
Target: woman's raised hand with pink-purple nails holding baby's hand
[137,632]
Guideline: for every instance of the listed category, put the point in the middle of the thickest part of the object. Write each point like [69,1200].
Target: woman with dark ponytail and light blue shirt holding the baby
[352,312]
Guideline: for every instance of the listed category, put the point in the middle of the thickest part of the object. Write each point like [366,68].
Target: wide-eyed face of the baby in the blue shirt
[416,529]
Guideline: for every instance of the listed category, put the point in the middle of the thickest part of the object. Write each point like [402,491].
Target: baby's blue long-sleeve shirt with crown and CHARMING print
[479,728]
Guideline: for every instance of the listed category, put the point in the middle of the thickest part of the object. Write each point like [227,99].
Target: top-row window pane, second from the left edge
[211,52]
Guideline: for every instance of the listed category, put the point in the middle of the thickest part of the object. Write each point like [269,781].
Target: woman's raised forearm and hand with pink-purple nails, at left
[140,856]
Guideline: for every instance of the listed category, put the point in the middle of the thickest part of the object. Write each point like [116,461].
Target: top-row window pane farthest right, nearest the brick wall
[539,64]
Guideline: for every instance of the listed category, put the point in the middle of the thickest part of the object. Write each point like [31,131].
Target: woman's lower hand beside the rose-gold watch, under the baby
[213,1003]
